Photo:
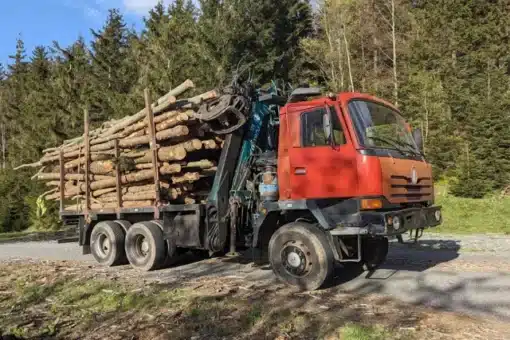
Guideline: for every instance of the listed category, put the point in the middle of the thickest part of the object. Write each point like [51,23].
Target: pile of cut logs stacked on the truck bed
[120,166]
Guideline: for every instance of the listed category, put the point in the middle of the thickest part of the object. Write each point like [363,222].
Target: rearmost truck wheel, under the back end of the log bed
[107,243]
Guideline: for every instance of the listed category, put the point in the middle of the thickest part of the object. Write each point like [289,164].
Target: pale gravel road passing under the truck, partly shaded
[469,274]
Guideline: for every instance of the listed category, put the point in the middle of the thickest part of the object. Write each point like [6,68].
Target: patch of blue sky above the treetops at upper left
[39,22]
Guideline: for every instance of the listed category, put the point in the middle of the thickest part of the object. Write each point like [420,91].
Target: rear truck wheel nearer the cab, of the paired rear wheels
[145,247]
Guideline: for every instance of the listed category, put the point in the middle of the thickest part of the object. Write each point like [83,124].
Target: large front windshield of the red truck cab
[378,126]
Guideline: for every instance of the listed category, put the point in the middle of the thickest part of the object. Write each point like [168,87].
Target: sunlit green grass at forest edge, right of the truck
[469,215]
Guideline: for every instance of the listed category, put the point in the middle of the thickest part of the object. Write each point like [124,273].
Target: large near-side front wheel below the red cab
[300,255]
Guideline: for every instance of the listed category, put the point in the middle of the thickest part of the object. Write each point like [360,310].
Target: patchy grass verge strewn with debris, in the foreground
[45,301]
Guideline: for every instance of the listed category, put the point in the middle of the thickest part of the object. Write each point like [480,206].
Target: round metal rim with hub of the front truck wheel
[296,259]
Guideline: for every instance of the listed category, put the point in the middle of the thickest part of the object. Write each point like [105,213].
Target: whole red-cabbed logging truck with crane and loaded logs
[309,180]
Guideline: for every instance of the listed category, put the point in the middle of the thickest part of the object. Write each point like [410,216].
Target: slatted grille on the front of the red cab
[403,190]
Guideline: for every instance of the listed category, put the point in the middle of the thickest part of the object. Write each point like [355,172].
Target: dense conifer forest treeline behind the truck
[444,63]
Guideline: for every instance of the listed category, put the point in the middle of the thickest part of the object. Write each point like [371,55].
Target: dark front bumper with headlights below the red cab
[382,223]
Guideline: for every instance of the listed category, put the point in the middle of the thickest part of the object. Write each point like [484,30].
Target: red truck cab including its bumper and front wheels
[353,164]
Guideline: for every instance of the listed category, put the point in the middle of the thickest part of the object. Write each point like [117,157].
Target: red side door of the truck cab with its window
[322,160]
